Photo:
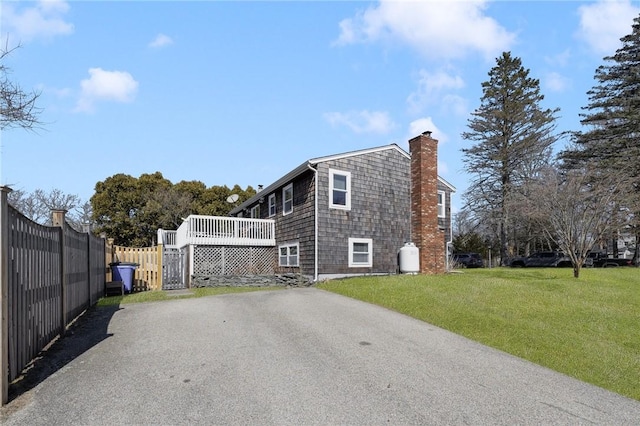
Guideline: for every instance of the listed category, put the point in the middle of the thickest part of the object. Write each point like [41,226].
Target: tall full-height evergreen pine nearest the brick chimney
[513,136]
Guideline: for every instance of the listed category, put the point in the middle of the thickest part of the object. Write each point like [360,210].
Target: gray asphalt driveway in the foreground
[298,357]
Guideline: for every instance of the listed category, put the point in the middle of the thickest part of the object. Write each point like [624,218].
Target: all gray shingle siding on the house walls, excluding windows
[380,211]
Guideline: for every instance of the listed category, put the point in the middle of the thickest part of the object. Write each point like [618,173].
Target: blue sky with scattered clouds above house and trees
[242,92]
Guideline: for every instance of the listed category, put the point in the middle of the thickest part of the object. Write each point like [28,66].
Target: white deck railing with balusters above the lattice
[225,231]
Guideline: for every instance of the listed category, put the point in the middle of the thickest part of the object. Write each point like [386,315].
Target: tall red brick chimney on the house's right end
[425,233]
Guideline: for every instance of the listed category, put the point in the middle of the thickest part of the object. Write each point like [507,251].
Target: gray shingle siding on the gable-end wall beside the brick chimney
[379,210]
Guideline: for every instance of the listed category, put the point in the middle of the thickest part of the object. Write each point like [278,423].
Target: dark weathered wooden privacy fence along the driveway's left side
[48,276]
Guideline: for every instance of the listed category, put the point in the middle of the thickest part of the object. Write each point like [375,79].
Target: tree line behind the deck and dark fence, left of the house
[131,210]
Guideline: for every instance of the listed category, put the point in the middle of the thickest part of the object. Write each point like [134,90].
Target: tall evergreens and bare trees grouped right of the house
[523,197]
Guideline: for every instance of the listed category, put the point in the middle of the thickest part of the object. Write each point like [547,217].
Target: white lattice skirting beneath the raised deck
[221,260]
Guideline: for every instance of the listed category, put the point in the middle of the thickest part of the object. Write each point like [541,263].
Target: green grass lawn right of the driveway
[588,328]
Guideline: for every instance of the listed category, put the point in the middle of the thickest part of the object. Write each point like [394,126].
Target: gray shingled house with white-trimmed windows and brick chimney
[350,213]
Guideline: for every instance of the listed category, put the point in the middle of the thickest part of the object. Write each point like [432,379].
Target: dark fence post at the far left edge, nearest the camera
[4,293]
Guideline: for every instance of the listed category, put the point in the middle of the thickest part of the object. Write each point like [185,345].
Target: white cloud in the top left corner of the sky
[44,20]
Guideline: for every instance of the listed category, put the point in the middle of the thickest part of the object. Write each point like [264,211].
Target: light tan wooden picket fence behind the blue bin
[148,274]
